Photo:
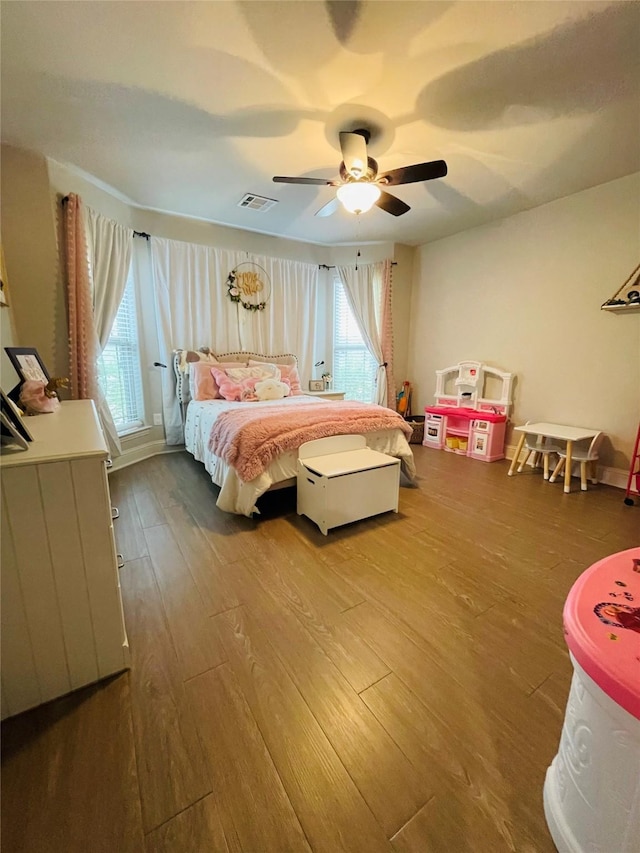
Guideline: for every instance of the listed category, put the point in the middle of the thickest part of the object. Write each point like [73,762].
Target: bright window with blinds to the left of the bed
[119,365]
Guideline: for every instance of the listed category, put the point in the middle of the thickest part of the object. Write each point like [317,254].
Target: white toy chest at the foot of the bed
[341,480]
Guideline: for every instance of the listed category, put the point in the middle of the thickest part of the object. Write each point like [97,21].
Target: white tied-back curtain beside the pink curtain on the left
[109,245]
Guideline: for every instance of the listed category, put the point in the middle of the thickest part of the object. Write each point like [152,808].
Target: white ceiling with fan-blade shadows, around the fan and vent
[186,106]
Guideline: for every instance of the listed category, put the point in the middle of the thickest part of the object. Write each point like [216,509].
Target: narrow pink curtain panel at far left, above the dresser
[83,342]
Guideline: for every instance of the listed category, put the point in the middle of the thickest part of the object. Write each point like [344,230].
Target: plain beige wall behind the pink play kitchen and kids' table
[524,294]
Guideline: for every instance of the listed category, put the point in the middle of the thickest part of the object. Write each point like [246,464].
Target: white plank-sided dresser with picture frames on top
[62,619]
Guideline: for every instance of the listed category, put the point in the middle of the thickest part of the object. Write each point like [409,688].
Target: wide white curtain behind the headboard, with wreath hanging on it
[193,309]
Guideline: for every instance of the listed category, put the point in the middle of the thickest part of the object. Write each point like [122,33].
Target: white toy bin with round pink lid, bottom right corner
[592,788]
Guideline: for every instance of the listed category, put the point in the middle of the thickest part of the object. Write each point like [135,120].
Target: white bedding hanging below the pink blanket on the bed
[239,497]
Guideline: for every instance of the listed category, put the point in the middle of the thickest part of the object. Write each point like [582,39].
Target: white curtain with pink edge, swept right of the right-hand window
[363,286]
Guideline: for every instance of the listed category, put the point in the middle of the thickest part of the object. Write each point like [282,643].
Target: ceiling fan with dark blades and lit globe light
[359,184]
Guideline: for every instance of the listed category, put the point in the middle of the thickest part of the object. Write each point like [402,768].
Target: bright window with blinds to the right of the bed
[354,368]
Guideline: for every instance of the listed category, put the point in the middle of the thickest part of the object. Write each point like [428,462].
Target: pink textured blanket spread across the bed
[250,439]
